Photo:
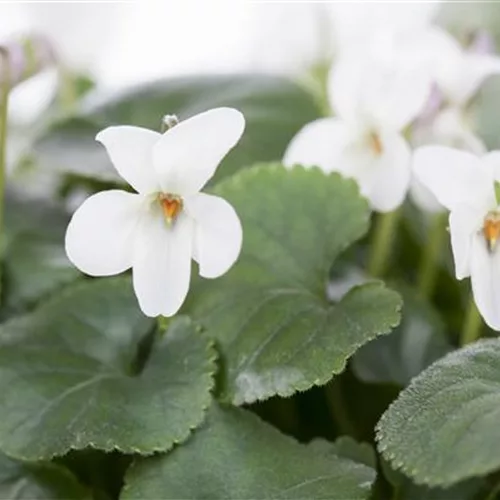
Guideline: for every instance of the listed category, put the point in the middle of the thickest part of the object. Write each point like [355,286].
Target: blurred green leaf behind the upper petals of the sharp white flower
[275,109]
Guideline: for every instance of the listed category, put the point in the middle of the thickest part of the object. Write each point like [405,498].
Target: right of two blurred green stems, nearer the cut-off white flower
[429,268]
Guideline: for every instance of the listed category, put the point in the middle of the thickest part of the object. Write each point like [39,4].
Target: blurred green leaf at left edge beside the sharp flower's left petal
[35,261]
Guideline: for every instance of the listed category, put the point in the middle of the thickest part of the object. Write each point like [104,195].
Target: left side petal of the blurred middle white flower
[318,143]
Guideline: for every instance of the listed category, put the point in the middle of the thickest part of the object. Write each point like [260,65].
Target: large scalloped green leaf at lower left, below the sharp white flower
[69,376]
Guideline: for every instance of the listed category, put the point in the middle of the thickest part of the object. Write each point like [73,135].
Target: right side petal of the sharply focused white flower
[218,233]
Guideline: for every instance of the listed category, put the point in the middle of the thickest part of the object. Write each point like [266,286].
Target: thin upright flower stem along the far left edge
[4,102]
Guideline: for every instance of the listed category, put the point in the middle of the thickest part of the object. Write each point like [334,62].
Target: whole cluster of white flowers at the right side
[392,97]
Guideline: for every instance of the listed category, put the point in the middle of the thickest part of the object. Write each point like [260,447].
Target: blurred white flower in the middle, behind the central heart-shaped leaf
[374,100]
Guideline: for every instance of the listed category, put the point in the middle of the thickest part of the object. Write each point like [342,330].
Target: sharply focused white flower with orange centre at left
[169,222]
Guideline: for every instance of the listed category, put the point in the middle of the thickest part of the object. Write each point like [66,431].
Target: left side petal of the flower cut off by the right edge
[465,222]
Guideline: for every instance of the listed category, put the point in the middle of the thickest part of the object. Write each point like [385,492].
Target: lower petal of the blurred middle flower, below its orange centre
[383,177]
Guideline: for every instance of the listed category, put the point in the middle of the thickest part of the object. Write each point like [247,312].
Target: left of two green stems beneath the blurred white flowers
[385,230]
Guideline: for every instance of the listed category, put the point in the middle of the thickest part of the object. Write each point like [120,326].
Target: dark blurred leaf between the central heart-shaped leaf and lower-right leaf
[416,343]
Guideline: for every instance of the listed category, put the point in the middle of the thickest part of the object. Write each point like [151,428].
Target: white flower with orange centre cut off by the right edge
[467,185]
